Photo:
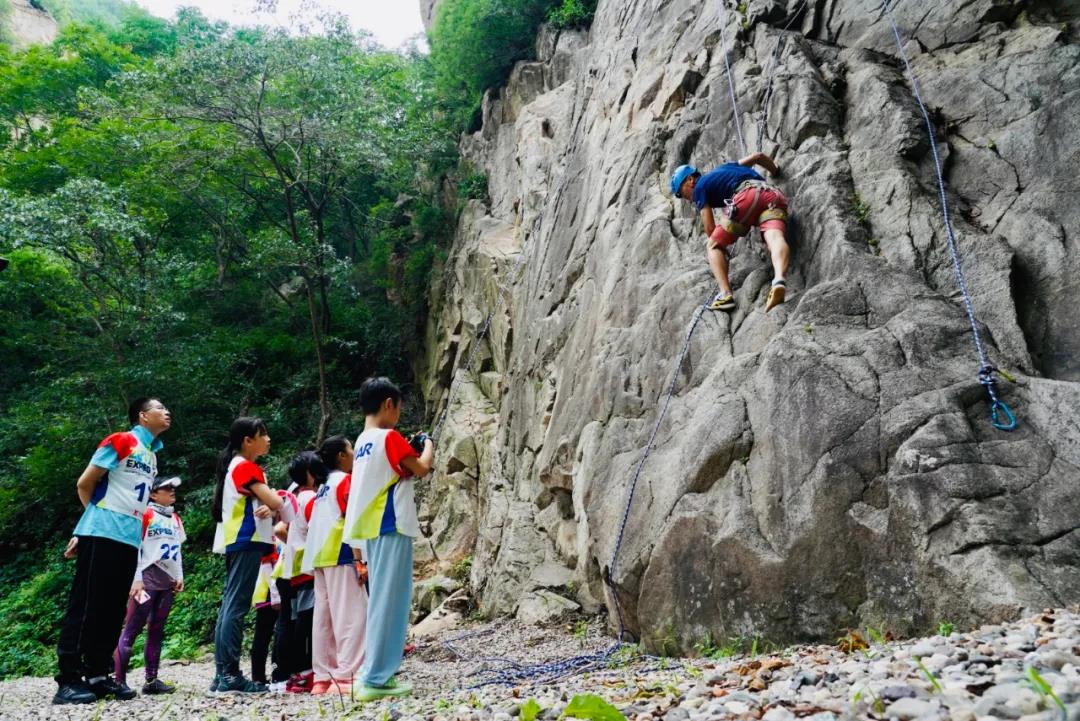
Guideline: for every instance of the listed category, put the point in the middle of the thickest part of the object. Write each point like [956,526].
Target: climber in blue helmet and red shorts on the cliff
[747,200]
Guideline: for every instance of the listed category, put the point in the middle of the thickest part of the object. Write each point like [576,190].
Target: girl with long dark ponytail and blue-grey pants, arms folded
[244,508]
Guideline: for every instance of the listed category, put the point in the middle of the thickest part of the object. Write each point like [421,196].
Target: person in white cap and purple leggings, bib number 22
[158,578]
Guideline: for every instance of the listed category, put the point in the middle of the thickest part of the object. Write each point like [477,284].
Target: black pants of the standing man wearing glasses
[103,577]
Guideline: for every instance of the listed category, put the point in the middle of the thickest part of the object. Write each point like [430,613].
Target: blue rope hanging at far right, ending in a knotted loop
[1002,416]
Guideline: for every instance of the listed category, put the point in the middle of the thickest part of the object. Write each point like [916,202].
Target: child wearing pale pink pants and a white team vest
[337,640]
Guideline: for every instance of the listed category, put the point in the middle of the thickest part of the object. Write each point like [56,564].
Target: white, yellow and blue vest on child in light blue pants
[382,499]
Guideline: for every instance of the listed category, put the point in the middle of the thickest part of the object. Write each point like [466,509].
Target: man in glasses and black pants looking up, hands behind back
[115,489]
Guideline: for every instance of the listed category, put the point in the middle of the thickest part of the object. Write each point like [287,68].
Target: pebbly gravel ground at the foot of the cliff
[1028,671]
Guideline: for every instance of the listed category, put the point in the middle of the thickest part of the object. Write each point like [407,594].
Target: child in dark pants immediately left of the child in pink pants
[298,590]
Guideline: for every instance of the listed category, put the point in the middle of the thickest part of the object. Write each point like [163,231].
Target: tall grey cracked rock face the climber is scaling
[821,467]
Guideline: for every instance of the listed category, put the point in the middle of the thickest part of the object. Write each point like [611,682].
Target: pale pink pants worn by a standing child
[341,624]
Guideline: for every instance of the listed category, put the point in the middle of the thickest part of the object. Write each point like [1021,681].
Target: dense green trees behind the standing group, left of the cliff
[157,248]
